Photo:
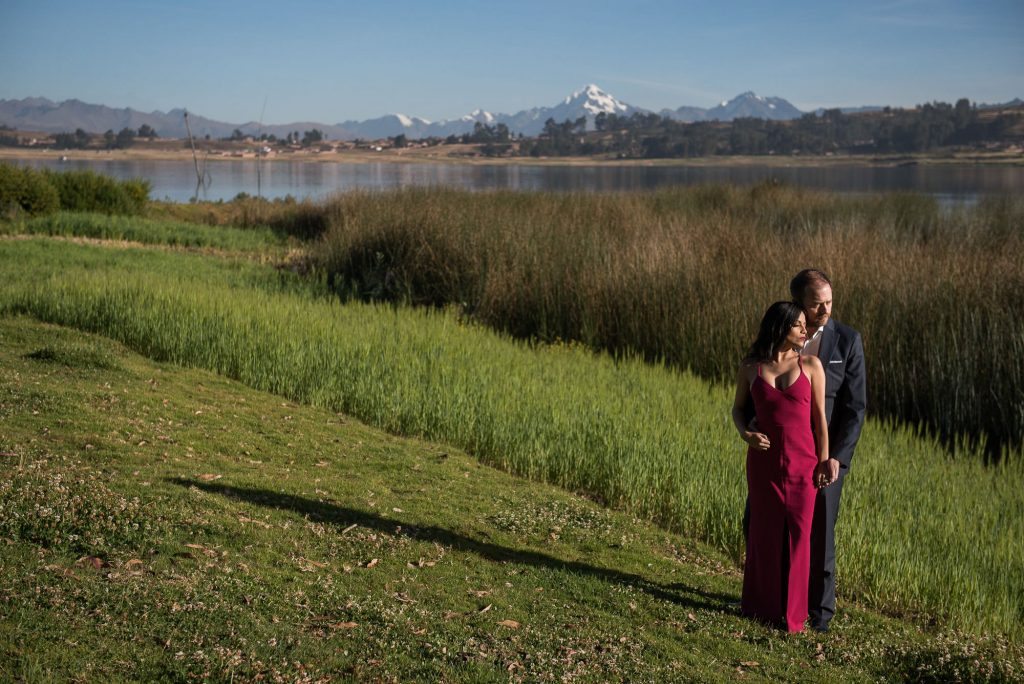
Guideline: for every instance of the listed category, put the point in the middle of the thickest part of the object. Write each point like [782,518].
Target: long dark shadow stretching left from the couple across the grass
[333,515]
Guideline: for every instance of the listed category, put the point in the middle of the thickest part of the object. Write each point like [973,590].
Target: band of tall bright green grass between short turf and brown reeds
[922,531]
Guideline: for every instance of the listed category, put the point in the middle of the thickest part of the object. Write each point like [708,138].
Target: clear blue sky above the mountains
[331,62]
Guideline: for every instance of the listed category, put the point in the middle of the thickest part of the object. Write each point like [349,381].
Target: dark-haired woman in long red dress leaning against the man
[786,461]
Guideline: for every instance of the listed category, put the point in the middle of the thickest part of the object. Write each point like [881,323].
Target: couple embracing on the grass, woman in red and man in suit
[800,406]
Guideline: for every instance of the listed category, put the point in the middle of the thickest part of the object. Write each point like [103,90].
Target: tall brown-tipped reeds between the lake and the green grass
[684,277]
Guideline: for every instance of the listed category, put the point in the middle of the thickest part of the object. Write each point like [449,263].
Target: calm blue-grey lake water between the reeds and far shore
[176,181]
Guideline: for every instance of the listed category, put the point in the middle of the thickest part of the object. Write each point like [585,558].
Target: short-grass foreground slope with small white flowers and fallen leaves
[291,541]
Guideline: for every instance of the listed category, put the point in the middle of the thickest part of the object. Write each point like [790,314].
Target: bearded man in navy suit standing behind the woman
[842,354]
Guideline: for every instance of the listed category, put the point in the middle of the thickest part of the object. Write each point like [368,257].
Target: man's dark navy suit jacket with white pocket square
[842,355]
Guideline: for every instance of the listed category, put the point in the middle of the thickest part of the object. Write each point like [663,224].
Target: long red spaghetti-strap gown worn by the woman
[781,488]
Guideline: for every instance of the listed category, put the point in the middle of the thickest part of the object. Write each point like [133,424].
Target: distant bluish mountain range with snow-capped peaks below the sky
[38,114]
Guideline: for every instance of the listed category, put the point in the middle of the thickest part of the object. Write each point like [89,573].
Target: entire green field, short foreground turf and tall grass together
[98,437]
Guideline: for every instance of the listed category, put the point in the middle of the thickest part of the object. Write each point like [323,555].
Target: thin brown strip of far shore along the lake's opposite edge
[433,156]
